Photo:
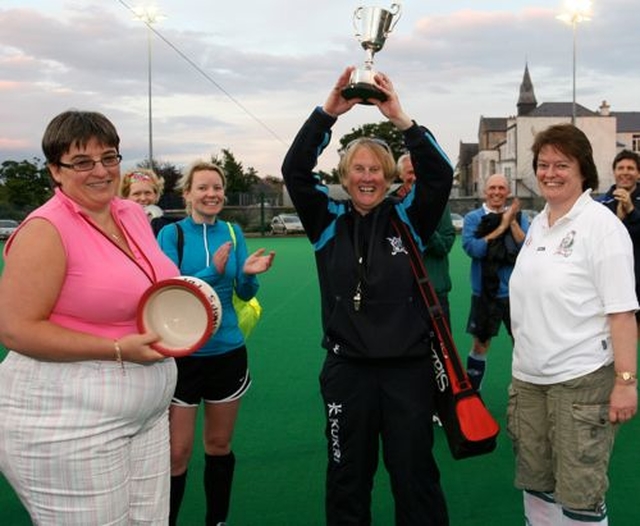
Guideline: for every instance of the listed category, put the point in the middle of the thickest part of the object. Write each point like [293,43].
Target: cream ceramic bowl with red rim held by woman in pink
[184,311]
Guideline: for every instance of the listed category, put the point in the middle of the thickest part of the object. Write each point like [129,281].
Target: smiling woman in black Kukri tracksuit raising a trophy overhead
[377,381]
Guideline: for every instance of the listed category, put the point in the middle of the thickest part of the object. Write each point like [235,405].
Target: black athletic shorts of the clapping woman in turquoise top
[214,379]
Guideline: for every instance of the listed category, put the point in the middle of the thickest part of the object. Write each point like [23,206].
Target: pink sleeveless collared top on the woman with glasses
[103,285]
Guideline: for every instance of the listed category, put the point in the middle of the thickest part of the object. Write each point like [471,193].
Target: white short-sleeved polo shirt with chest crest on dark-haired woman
[567,278]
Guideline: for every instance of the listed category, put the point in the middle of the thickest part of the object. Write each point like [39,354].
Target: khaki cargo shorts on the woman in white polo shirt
[562,437]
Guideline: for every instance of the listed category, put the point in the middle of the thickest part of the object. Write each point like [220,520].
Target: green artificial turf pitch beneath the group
[279,442]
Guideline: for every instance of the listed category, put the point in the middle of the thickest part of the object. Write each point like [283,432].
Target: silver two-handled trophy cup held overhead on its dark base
[372,26]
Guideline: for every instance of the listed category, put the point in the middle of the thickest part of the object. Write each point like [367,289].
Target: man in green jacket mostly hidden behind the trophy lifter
[438,246]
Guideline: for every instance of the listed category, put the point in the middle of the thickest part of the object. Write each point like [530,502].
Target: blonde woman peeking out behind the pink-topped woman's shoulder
[145,187]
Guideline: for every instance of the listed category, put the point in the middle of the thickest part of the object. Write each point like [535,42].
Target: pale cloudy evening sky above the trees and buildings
[244,74]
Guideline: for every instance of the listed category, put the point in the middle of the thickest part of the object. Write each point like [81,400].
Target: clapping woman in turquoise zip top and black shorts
[217,373]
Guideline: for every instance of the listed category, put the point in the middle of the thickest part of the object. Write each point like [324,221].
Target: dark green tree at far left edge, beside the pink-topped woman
[26,184]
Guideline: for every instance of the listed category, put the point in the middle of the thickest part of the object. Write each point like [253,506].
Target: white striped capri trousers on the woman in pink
[82,444]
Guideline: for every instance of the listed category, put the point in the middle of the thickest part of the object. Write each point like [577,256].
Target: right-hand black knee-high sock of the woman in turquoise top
[218,476]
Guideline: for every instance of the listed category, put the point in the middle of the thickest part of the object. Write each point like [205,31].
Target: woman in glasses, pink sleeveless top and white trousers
[84,428]
